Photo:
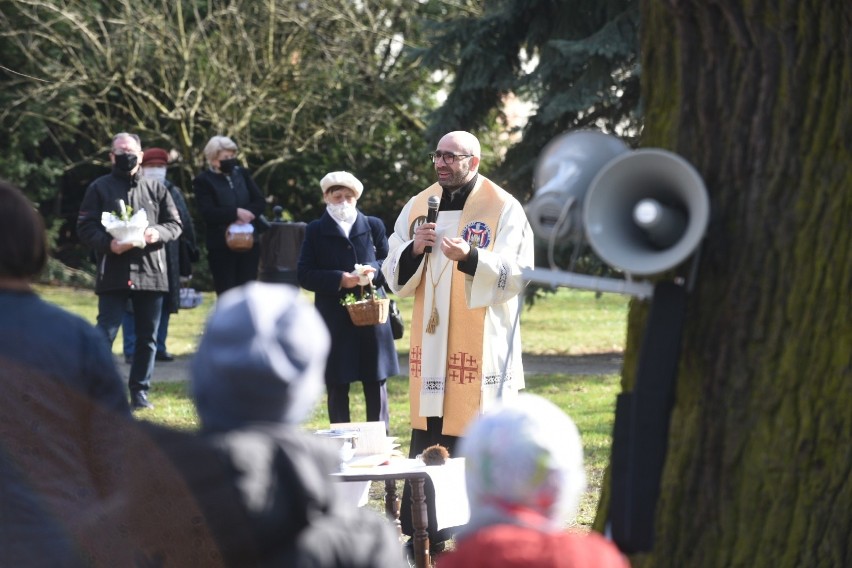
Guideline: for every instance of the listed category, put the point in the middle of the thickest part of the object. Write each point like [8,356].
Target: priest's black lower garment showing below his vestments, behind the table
[420,440]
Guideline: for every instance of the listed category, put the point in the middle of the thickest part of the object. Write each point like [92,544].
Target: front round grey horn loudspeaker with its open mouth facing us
[646,211]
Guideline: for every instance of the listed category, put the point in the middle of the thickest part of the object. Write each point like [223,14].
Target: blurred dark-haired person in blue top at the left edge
[60,399]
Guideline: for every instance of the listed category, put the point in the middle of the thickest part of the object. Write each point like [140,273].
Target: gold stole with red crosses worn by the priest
[463,383]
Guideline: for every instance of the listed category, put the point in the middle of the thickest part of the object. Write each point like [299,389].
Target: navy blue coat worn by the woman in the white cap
[365,353]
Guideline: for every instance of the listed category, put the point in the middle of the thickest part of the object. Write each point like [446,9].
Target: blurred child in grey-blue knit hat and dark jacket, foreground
[251,488]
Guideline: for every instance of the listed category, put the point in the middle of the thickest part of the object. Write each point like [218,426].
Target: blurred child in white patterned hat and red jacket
[525,478]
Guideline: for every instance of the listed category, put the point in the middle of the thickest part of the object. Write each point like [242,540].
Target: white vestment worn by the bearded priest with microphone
[497,287]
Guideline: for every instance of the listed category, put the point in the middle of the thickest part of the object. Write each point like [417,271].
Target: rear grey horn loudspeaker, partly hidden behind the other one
[563,173]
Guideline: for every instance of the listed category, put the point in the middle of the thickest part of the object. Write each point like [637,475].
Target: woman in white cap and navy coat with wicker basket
[342,238]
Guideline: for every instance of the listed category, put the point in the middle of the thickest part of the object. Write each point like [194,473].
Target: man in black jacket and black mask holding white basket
[130,270]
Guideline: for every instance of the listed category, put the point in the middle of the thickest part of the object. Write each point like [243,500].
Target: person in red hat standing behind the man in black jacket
[180,254]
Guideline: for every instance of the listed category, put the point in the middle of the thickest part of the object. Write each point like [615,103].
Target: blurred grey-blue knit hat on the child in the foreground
[262,358]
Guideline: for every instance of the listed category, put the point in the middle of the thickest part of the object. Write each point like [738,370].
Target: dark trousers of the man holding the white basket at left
[146,319]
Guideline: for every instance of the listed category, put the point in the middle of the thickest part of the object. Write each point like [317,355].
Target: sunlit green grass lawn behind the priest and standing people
[566,323]
